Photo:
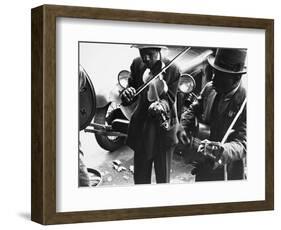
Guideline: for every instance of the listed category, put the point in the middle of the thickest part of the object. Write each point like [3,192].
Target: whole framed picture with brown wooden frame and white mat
[145,114]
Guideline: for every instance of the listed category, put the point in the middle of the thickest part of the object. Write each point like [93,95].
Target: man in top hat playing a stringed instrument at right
[217,106]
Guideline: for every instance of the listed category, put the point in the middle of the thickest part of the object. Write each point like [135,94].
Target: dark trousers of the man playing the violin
[162,166]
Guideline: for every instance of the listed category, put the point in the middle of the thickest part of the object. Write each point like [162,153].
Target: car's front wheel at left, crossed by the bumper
[105,116]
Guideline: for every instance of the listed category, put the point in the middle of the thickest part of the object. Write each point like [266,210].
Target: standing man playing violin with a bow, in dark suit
[152,129]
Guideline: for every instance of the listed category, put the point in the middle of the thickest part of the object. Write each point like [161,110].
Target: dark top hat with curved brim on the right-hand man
[229,60]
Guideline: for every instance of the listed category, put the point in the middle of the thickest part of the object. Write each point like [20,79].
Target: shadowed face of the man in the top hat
[225,82]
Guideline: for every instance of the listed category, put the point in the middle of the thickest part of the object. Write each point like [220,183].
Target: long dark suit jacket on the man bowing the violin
[140,138]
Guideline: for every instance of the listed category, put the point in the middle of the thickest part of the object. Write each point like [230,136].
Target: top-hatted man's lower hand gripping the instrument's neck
[211,149]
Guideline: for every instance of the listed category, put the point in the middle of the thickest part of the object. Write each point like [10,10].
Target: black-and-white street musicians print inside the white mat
[157,113]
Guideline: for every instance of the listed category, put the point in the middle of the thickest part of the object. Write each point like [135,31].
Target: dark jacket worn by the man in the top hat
[235,146]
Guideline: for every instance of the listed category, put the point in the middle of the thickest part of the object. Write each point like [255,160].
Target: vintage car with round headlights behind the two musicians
[109,120]
